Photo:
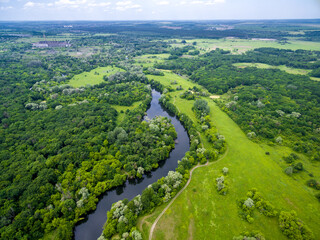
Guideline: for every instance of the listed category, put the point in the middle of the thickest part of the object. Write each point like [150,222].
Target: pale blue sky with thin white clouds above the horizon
[157,10]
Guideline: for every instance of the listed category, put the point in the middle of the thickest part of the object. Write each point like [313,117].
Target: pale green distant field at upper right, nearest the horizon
[238,46]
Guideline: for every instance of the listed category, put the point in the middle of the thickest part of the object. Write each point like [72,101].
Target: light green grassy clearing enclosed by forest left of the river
[93,77]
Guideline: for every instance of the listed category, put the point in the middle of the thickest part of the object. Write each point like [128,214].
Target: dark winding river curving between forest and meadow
[91,229]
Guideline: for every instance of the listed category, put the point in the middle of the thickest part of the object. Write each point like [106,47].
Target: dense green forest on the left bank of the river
[62,147]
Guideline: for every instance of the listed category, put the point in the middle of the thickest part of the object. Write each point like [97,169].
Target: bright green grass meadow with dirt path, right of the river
[201,213]
